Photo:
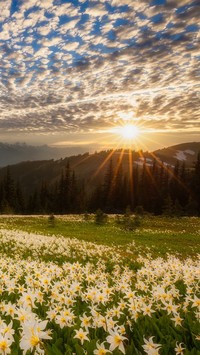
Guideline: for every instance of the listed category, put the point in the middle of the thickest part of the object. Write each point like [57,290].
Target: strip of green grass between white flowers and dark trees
[157,235]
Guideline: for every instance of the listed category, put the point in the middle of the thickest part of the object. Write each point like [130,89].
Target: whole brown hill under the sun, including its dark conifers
[111,180]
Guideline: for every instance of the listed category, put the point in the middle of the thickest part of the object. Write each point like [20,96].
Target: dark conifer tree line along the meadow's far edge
[157,189]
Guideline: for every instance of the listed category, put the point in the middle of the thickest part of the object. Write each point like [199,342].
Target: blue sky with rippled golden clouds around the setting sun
[72,71]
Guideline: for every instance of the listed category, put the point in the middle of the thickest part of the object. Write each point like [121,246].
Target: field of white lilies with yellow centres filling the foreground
[65,296]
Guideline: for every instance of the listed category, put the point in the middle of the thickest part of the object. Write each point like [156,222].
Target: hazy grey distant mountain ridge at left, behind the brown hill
[15,153]
